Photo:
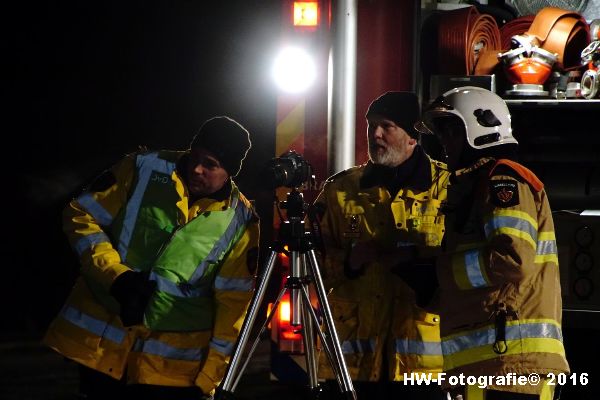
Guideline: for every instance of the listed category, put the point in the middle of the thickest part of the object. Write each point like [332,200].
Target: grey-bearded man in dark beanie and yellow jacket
[381,226]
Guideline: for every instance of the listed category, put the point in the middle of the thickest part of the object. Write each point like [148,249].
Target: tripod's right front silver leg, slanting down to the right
[341,367]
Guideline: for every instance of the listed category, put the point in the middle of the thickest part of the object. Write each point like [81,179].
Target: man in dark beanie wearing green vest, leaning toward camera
[168,247]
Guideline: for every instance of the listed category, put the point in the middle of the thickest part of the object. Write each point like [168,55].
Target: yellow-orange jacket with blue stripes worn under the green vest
[88,328]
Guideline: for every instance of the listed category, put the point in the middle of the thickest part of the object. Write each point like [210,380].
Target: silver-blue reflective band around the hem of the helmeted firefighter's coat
[488,336]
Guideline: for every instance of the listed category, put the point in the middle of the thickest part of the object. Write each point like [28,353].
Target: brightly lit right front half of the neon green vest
[186,268]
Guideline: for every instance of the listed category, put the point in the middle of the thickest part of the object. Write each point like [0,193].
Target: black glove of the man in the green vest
[132,290]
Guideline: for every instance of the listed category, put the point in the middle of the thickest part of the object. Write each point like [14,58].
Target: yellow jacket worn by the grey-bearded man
[376,312]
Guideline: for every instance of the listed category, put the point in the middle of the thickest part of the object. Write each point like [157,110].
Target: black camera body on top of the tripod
[290,170]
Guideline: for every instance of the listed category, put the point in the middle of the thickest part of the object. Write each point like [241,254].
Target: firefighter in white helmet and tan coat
[499,280]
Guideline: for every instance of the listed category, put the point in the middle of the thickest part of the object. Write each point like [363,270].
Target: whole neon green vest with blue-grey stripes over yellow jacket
[182,259]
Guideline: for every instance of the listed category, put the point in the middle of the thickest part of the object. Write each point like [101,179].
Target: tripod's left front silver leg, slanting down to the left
[227,385]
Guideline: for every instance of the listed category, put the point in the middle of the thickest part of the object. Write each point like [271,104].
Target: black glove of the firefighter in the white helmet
[421,278]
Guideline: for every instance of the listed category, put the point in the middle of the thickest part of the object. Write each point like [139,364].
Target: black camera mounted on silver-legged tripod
[293,171]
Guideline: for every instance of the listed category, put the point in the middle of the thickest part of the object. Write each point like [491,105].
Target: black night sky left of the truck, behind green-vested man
[90,81]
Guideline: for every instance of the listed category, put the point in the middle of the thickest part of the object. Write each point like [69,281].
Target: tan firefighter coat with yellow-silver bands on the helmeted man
[499,278]
